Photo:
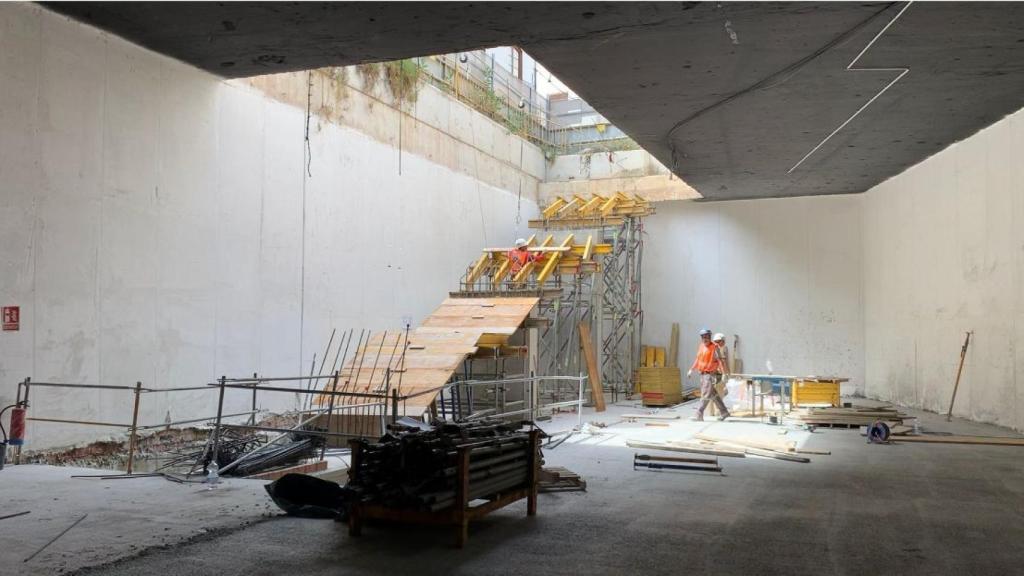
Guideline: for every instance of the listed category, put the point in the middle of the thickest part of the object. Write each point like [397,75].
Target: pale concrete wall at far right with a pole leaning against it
[945,254]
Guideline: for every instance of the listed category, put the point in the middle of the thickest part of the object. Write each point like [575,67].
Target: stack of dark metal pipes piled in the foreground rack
[419,470]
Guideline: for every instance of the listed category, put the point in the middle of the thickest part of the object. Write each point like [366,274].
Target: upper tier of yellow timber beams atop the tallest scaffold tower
[596,212]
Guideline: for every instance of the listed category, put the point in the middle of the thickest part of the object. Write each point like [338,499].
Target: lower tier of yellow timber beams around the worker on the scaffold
[565,258]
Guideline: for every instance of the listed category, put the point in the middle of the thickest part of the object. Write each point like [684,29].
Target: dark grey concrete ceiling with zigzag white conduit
[732,97]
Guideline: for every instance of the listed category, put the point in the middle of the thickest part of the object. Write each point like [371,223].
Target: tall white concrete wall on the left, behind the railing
[160,225]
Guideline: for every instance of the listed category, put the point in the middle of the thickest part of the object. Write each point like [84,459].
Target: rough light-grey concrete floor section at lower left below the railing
[125,517]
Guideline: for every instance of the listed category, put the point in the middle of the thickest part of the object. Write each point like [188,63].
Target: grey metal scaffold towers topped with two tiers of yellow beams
[596,282]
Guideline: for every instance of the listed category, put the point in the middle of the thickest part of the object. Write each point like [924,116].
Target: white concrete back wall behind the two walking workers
[785,275]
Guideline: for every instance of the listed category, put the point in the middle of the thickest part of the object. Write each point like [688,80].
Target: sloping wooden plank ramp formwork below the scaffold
[434,353]
